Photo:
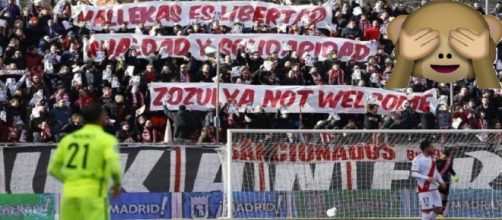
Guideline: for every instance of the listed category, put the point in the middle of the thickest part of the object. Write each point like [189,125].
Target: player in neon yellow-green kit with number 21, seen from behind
[84,162]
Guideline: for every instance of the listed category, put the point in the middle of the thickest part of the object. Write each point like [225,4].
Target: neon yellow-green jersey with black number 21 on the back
[85,161]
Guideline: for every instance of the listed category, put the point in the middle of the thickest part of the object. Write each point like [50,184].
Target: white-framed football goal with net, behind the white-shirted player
[355,174]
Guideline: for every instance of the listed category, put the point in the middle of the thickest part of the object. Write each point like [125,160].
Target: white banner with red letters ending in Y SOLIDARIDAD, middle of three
[264,44]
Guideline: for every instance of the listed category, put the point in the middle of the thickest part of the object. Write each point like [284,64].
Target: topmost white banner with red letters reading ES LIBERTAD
[169,13]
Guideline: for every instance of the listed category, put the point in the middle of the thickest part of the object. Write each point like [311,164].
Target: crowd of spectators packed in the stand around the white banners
[40,98]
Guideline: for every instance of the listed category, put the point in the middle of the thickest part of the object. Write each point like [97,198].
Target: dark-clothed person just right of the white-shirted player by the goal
[445,168]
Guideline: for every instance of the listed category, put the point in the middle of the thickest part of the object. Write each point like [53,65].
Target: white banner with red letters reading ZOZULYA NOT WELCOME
[293,99]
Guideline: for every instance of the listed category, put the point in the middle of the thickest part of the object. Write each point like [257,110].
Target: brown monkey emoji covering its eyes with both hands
[444,41]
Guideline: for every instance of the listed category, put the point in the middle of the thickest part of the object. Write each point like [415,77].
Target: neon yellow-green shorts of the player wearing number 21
[86,208]
